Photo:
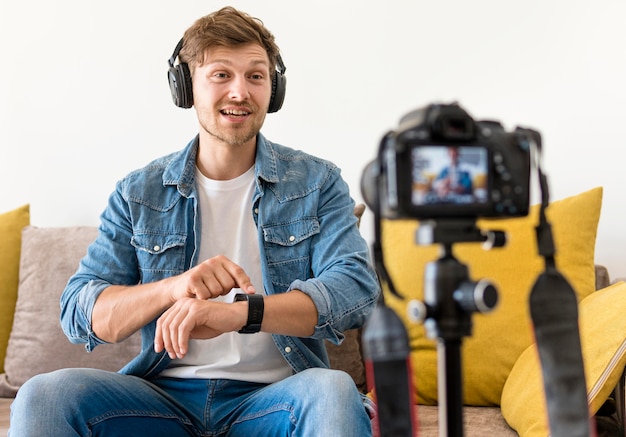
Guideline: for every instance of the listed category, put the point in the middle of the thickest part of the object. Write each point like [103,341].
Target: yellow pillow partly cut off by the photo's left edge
[11,225]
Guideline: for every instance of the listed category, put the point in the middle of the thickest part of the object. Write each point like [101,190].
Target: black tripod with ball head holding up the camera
[450,298]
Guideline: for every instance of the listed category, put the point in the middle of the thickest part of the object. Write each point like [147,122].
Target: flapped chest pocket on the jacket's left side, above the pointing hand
[160,254]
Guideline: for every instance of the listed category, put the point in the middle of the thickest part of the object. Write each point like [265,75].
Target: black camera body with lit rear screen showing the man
[440,164]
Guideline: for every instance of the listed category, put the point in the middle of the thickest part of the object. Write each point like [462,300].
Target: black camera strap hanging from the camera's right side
[554,314]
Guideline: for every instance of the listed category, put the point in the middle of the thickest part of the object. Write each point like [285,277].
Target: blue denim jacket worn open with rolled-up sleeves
[307,233]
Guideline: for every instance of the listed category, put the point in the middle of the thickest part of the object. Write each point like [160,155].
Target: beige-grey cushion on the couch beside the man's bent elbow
[37,344]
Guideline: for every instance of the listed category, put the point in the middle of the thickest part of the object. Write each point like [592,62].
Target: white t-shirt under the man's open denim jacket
[228,229]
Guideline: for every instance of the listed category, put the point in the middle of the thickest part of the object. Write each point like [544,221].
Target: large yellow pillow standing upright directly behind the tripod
[498,337]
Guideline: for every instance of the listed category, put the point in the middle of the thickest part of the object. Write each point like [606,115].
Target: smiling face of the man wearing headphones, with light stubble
[231,92]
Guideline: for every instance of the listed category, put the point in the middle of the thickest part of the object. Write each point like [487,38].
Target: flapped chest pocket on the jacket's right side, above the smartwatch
[287,247]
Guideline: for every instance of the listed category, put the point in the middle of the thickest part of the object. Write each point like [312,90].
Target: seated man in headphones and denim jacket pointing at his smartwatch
[235,257]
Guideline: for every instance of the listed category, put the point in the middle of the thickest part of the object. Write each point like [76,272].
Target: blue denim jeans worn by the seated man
[89,402]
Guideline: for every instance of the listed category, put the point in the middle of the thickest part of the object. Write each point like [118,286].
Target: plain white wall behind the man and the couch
[84,95]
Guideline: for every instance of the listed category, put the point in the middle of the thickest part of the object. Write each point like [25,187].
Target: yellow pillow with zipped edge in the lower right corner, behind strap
[603,341]
